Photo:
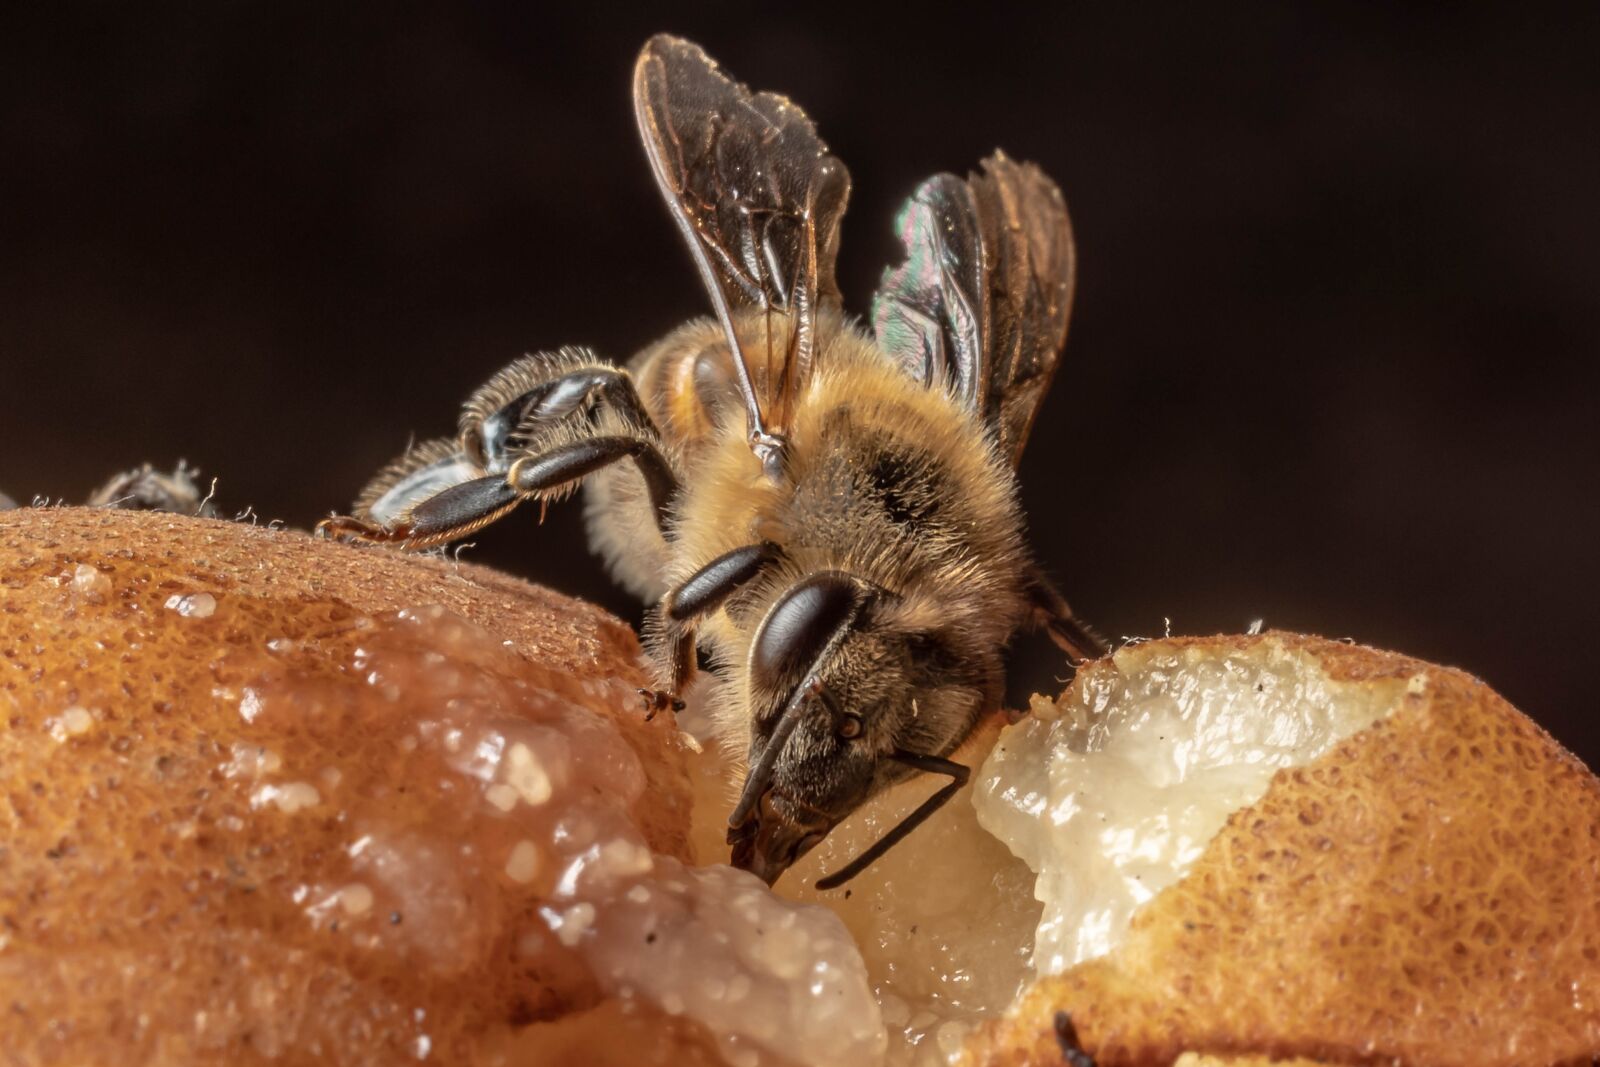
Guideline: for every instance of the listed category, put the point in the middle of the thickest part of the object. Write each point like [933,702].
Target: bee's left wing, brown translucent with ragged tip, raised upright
[759,201]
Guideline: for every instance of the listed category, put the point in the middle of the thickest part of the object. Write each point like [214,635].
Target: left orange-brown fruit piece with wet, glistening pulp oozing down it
[276,802]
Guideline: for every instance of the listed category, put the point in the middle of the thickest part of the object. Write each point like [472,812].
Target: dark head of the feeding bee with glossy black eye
[846,701]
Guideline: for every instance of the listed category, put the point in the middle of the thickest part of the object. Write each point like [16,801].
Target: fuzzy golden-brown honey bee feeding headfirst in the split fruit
[828,513]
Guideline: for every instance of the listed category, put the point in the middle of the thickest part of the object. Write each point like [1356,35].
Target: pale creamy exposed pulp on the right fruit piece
[1118,789]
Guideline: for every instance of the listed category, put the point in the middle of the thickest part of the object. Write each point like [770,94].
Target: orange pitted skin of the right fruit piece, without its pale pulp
[1425,893]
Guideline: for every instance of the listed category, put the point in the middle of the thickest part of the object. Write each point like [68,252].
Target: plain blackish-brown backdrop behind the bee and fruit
[1332,364]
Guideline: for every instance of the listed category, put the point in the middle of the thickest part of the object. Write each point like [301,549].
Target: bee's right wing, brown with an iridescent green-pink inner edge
[983,298]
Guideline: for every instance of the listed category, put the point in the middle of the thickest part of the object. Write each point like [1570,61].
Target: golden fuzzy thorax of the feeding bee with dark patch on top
[886,479]
